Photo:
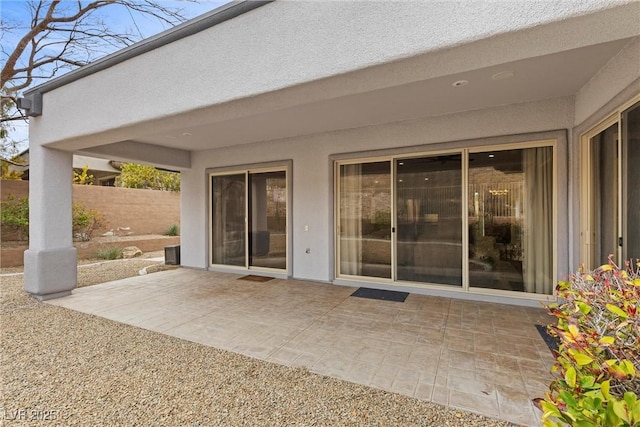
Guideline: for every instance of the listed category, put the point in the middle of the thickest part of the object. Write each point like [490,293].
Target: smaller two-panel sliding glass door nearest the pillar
[249,219]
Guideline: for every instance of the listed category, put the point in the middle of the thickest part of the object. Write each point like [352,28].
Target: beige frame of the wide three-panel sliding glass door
[464,152]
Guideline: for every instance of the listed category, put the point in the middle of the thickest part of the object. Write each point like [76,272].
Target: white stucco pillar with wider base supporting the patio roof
[50,263]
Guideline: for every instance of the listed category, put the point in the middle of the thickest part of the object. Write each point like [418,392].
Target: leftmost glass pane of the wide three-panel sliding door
[365,219]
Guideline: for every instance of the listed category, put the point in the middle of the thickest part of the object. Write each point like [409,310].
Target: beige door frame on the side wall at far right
[587,216]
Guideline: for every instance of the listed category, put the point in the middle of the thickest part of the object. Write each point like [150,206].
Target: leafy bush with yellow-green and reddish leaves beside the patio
[598,361]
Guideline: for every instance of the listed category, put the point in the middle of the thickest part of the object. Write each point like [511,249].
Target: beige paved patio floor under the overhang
[482,357]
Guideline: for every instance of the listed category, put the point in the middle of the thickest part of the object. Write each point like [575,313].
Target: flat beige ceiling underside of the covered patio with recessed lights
[550,76]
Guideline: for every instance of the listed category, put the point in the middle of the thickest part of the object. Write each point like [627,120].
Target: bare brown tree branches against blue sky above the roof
[63,35]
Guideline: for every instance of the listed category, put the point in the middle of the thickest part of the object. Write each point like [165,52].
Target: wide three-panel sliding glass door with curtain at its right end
[401,219]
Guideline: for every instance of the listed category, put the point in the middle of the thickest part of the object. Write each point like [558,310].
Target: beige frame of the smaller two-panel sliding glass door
[247,244]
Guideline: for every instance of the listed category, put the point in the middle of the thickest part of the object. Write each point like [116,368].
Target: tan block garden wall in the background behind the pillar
[144,211]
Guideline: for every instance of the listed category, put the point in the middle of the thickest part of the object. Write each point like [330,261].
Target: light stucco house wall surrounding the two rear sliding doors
[312,173]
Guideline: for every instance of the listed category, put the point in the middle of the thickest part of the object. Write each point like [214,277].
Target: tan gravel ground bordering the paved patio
[85,370]
